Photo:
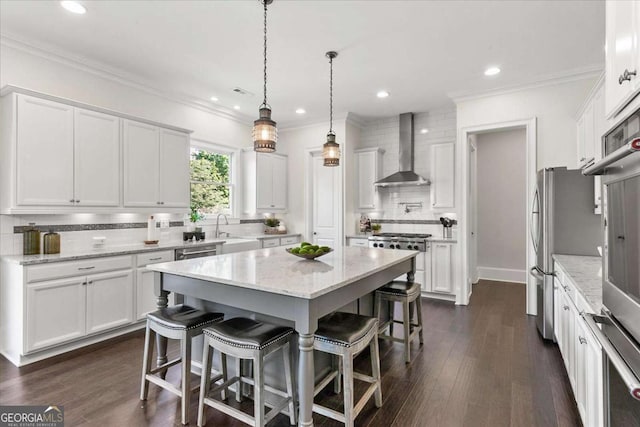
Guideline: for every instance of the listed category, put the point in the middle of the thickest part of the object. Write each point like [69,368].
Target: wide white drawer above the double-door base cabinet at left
[58,270]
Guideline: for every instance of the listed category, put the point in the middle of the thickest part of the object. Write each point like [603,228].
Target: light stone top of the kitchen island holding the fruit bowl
[275,271]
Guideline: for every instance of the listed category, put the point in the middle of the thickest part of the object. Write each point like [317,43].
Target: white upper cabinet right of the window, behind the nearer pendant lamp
[265,182]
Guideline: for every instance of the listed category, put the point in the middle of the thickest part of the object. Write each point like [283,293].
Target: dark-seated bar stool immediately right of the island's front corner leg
[345,335]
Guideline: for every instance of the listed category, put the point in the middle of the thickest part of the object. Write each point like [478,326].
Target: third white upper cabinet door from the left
[141,164]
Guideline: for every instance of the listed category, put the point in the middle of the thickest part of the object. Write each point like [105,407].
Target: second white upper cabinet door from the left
[97,159]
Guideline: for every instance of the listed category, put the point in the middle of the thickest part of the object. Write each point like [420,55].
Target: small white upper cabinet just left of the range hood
[369,170]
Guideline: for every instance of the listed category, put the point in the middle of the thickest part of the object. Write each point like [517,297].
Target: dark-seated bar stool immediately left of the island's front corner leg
[245,338]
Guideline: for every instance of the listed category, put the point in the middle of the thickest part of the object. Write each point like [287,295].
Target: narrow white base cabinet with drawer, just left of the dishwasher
[146,299]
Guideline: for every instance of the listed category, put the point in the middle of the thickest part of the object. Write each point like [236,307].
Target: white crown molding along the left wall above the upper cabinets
[113,74]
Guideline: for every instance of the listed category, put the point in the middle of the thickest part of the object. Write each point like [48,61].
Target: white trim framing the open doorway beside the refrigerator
[469,246]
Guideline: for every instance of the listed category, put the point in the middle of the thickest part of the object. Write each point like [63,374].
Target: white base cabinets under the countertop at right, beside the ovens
[580,351]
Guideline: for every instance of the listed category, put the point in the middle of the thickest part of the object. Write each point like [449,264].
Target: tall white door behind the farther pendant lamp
[324,210]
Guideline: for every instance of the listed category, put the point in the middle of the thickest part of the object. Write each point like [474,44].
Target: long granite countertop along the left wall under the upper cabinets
[114,251]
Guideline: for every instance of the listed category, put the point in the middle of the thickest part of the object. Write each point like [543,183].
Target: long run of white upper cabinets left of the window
[61,156]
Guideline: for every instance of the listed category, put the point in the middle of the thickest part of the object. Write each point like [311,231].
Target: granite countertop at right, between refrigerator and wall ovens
[586,275]
